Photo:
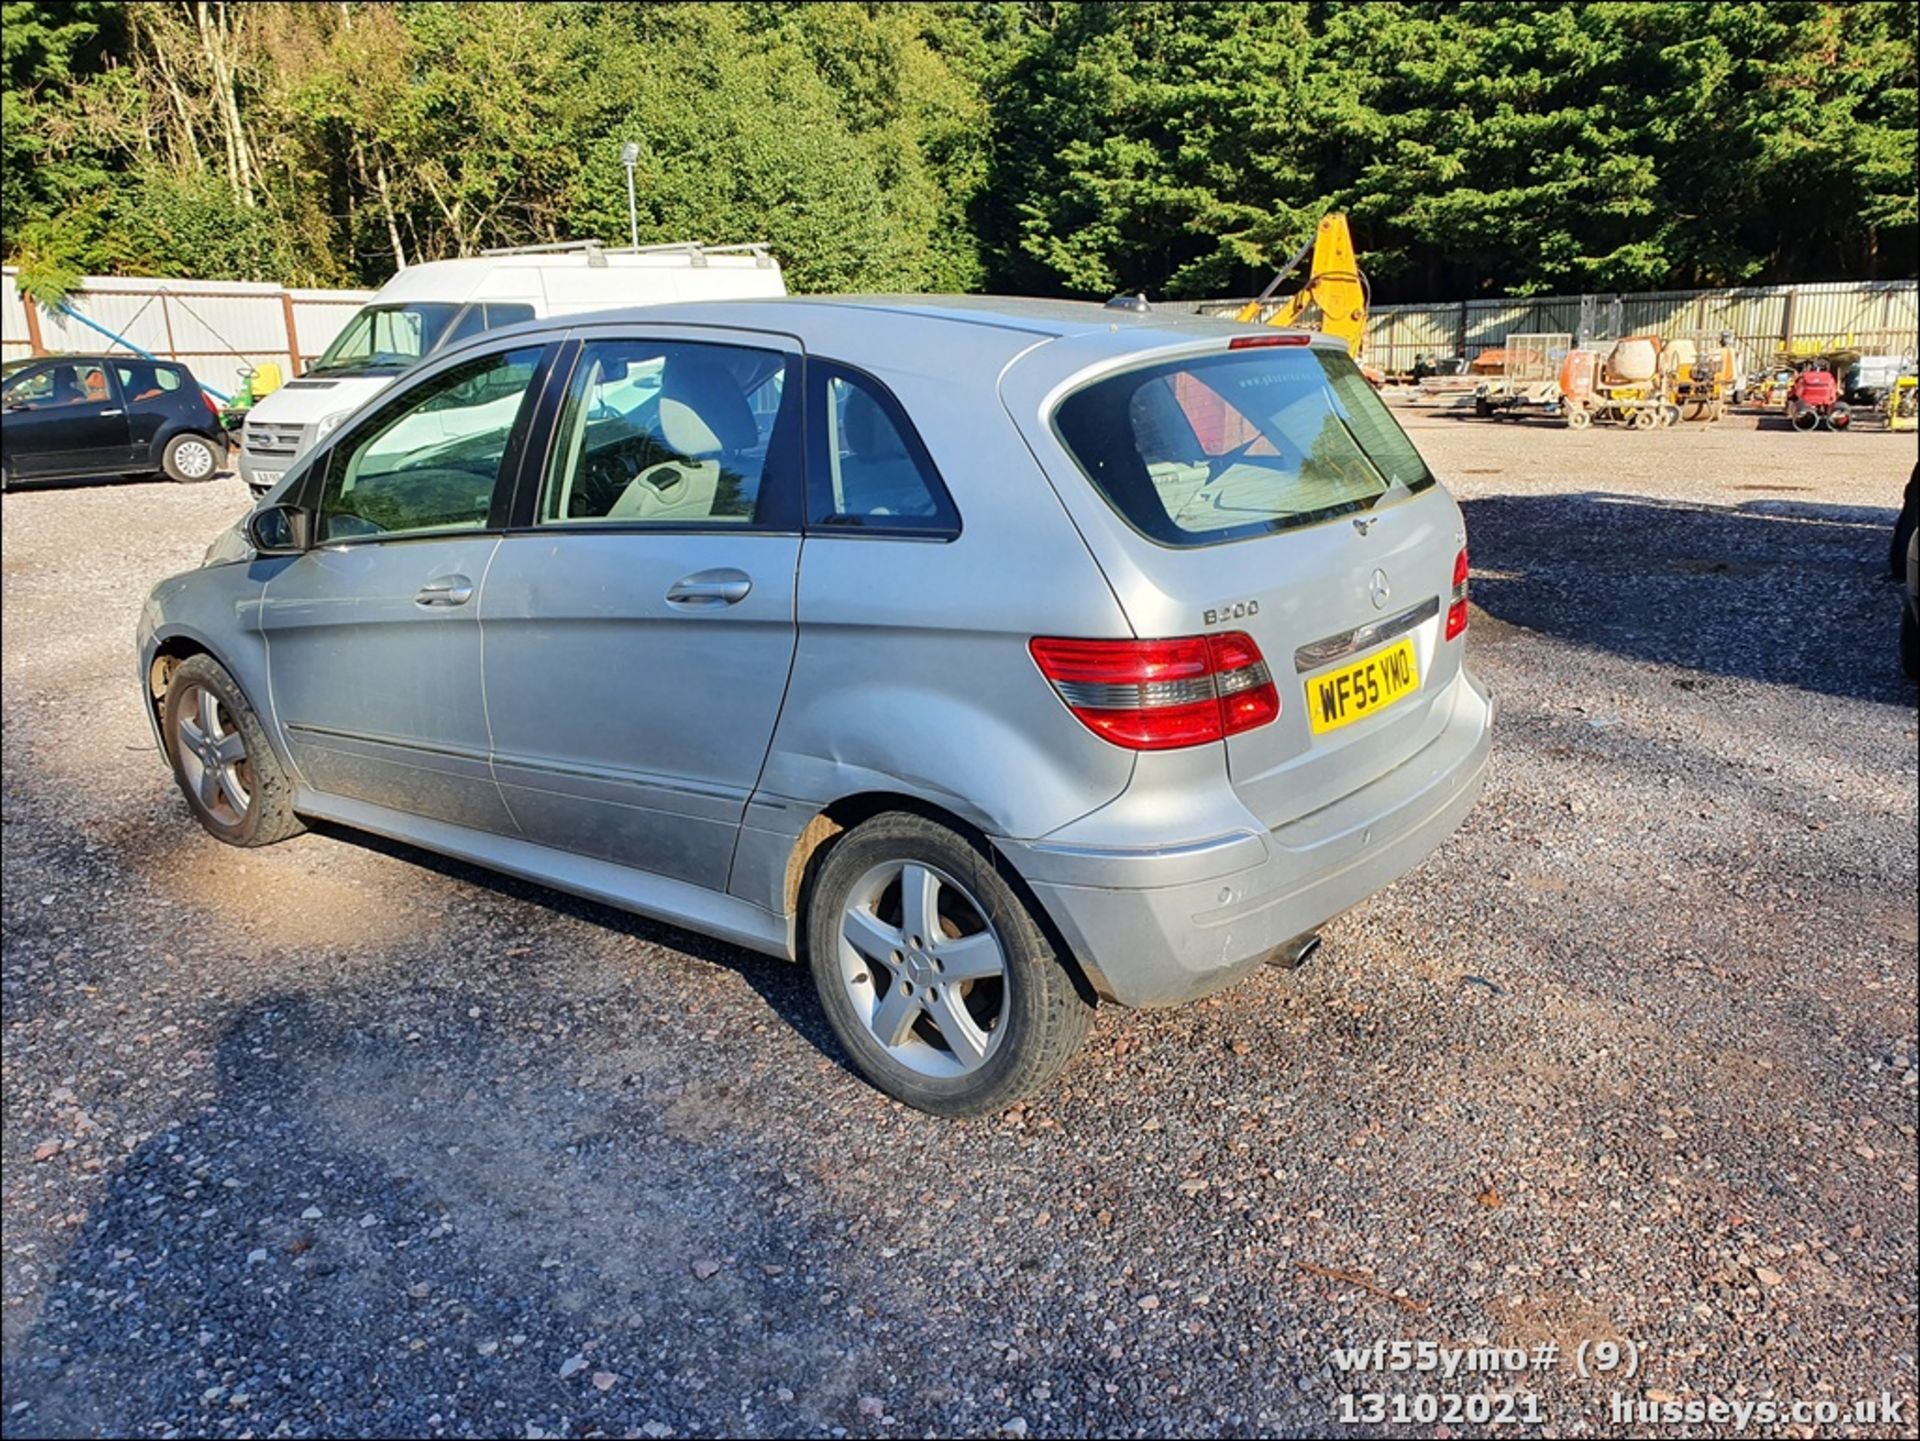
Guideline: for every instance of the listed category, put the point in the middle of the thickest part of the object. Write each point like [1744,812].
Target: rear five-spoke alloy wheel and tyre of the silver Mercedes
[936,980]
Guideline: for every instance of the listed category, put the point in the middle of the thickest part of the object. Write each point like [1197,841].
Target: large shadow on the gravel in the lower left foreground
[377,1229]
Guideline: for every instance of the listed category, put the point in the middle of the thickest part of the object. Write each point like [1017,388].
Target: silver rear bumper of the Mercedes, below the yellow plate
[1184,922]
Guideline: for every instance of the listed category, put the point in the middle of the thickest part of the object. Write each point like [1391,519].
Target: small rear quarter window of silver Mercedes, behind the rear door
[871,469]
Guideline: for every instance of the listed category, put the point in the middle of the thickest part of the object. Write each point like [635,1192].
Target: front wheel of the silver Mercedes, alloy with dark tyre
[222,759]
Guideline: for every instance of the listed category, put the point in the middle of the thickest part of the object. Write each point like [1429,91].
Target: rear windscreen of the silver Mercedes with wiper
[1216,448]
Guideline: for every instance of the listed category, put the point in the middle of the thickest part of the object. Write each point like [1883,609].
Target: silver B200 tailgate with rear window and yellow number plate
[1268,490]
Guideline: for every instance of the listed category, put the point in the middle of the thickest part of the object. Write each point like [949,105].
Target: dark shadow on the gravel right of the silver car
[1779,592]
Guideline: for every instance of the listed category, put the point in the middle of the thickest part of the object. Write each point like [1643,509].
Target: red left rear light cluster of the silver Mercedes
[1161,696]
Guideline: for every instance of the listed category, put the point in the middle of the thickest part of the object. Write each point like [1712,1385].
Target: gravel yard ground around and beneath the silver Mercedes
[345,1139]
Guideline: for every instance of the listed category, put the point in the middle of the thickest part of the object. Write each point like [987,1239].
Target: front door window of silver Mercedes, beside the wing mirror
[433,458]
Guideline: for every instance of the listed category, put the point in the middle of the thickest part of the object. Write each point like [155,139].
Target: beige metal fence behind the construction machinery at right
[1871,316]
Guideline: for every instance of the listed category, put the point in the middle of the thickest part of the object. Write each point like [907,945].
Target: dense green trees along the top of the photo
[1067,149]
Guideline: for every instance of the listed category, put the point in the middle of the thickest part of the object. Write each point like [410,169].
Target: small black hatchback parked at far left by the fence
[70,417]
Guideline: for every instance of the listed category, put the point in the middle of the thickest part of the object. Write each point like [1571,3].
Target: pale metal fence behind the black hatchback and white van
[216,329]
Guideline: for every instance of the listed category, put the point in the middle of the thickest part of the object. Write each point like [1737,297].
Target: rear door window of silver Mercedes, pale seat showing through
[665,433]
